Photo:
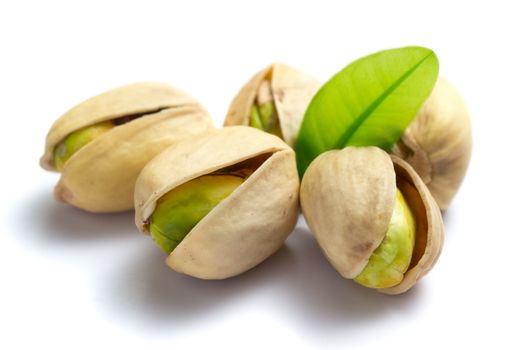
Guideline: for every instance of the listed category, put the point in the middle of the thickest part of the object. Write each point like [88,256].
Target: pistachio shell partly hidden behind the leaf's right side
[438,143]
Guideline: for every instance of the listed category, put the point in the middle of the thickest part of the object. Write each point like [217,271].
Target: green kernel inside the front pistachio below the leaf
[391,259]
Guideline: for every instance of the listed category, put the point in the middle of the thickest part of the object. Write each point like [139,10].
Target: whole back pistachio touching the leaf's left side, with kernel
[275,101]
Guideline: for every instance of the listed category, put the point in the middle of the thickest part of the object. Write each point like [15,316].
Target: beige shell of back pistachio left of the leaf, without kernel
[292,92]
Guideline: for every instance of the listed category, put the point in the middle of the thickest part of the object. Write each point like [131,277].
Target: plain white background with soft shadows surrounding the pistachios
[70,279]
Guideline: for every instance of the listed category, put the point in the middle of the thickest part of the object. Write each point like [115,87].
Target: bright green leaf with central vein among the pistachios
[368,103]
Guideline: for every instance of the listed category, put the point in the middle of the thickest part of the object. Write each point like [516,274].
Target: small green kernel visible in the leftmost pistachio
[76,140]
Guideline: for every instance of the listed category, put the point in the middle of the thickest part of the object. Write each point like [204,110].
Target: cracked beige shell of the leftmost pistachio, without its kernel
[100,176]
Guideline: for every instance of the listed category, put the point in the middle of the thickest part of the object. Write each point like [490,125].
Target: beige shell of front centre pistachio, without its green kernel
[246,227]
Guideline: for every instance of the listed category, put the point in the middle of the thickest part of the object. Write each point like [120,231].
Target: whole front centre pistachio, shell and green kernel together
[220,203]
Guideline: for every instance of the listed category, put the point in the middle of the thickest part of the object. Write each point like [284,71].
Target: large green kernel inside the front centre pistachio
[179,210]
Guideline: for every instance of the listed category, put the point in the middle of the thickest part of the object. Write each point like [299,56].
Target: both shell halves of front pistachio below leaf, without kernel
[347,198]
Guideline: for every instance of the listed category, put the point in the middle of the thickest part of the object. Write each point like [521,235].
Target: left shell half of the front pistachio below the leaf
[347,198]
